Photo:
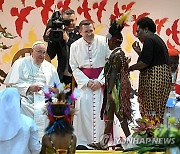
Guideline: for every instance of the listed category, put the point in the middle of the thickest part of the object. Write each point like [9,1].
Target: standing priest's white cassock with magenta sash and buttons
[88,59]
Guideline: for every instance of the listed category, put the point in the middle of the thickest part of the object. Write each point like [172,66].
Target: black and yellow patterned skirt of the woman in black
[154,89]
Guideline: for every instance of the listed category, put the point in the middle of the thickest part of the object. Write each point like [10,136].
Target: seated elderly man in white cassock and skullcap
[29,75]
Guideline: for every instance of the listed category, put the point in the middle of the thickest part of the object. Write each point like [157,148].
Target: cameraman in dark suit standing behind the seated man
[61,47]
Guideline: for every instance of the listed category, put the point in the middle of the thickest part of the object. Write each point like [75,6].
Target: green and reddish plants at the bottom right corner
[162,138]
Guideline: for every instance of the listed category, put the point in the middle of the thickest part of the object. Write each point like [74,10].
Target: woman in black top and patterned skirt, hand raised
[155,73]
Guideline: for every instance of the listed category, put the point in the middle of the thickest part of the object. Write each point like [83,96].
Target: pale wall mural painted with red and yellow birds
[23,21]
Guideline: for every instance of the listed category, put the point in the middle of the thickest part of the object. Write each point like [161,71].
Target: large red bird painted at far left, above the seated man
[21,17]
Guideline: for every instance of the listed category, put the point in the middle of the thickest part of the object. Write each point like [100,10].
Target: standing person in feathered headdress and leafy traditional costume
[117,91]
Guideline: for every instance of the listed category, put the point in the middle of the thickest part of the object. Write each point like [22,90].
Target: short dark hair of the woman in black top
[146,22]
